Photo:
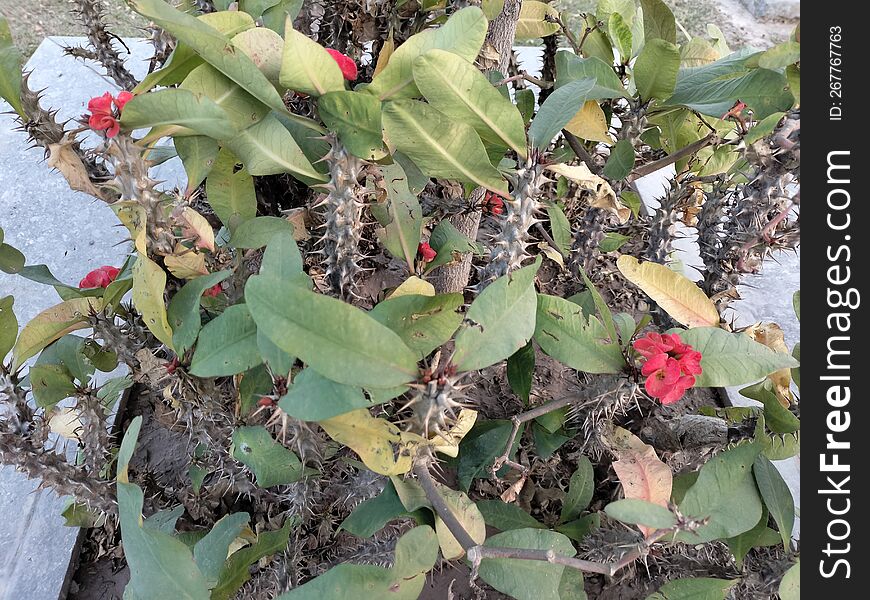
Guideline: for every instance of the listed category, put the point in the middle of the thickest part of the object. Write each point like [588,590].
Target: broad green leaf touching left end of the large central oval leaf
[227,345]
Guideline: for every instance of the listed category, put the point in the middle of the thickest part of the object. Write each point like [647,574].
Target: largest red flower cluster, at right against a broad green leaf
[670,366]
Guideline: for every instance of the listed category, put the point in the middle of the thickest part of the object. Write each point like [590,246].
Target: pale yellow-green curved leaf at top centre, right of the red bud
[462,34]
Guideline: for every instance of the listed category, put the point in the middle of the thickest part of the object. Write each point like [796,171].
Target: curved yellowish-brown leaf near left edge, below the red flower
[52,324]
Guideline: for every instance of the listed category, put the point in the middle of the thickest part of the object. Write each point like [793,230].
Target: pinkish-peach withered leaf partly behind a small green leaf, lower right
[640,471]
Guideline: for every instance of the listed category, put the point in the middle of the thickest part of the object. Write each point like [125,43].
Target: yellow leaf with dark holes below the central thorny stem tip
[382,446]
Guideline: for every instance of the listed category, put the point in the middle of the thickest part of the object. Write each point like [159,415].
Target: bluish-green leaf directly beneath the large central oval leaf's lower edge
[312,397]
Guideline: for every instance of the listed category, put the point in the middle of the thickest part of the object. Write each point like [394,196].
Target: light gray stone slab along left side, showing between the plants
[71,233]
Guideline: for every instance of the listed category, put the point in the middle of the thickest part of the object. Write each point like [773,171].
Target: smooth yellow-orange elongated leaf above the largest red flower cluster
[672,291]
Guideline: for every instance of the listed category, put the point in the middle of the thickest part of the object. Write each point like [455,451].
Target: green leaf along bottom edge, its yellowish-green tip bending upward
[416,553]
